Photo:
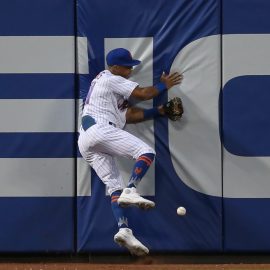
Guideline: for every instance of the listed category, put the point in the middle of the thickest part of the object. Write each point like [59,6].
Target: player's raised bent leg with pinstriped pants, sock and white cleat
[117,142]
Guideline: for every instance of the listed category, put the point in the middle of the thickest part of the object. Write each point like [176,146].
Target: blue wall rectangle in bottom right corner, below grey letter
[246,225]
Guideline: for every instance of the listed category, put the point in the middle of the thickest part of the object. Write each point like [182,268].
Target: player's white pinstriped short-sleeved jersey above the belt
[106,98]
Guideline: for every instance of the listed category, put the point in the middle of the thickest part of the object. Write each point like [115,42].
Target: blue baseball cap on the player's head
[121,57]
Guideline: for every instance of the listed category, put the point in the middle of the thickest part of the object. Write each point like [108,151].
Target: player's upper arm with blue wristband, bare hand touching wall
[166,82]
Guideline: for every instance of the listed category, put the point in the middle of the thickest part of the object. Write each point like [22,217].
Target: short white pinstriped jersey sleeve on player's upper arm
[122,86]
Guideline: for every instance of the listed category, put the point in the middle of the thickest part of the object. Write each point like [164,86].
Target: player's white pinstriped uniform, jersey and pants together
[106,139]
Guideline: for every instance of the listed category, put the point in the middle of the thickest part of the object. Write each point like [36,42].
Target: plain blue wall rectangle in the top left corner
[37,18]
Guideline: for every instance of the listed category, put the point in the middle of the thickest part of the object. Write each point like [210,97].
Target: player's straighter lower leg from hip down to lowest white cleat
[90,142]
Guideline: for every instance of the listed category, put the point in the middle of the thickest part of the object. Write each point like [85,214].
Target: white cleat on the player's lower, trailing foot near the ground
[125,238]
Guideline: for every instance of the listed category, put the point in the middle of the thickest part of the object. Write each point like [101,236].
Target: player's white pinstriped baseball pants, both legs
[101,143]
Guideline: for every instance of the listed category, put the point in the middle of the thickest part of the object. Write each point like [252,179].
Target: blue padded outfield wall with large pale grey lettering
[215,161]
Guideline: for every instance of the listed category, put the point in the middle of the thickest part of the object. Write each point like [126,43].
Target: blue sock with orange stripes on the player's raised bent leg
[140,168]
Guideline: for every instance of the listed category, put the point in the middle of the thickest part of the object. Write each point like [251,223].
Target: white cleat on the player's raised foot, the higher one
[130,197]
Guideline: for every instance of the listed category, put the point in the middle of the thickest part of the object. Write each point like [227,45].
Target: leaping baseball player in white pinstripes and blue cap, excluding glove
[102,137]
